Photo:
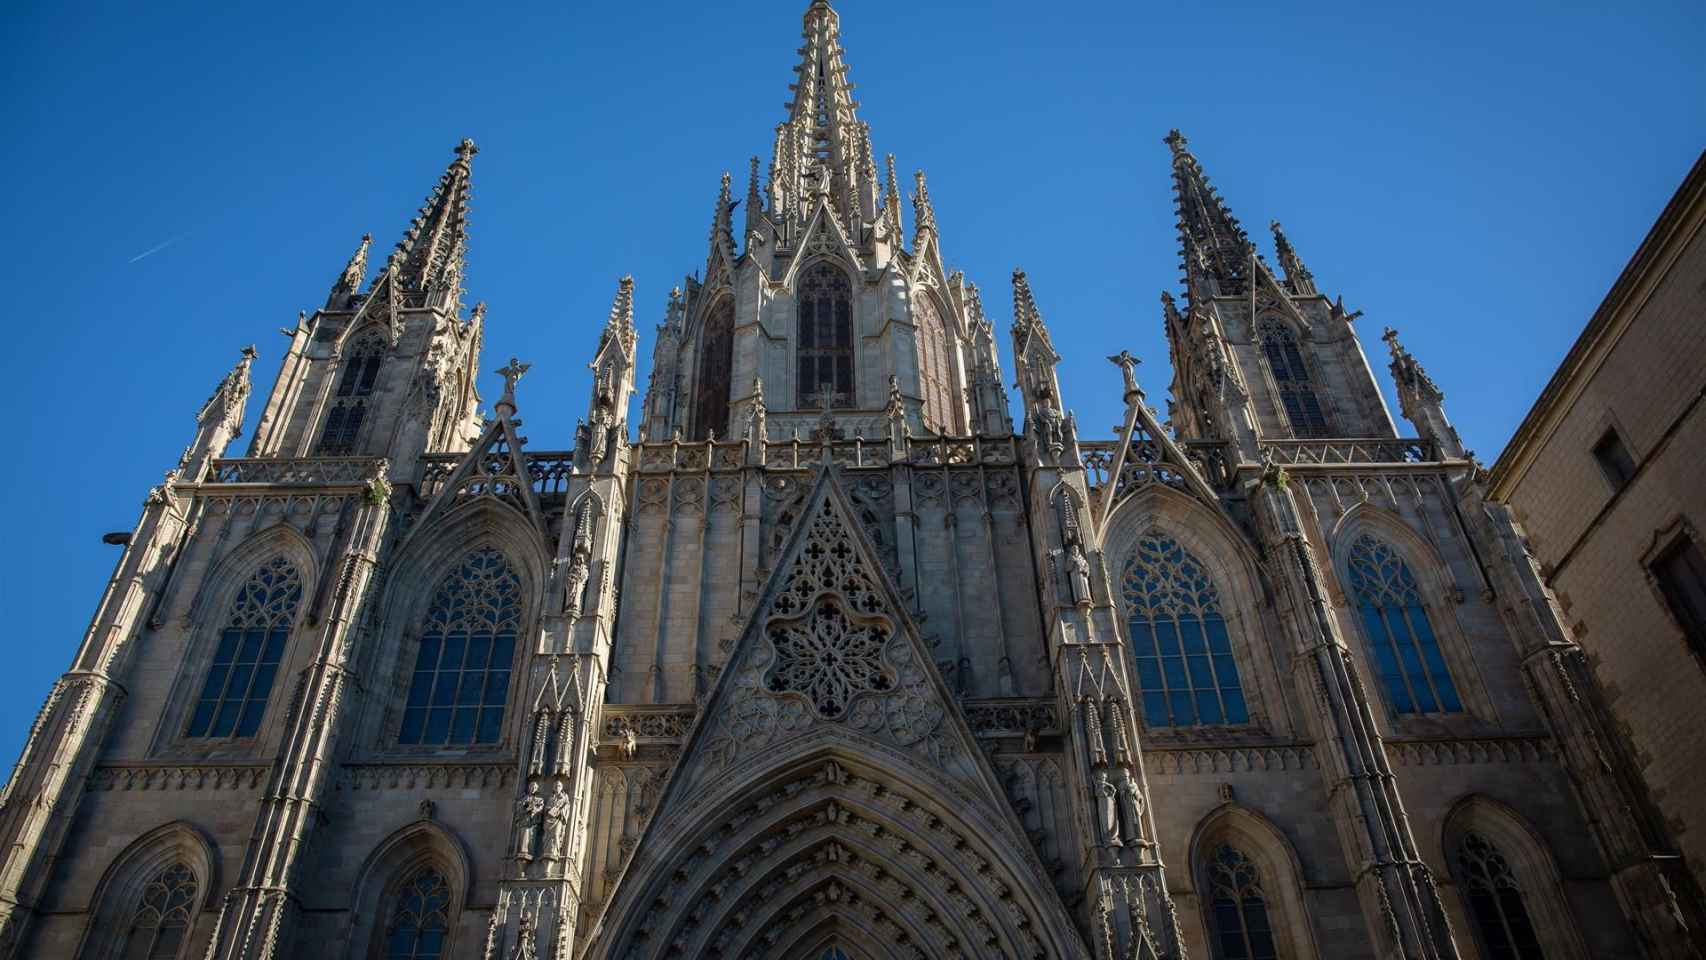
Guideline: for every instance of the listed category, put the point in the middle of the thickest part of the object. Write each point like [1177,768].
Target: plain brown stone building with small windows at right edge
[1608,478]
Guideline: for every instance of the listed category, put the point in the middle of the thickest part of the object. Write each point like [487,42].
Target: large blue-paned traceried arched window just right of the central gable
[1187,671]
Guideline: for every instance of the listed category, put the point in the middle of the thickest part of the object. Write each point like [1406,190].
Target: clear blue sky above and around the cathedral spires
[1473,175]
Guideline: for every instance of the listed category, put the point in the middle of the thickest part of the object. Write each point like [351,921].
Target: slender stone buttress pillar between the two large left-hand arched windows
[258,911]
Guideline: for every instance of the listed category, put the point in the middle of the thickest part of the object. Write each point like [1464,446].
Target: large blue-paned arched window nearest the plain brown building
[1407,652]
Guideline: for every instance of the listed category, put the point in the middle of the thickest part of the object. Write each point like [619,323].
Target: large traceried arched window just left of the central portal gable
[468,645]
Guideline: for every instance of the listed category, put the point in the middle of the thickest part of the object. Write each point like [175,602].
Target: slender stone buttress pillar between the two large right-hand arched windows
[1398,893]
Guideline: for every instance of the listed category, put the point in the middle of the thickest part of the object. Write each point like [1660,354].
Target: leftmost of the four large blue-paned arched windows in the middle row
[250,649]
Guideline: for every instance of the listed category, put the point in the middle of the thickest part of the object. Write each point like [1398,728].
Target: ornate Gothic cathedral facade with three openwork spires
[823,657]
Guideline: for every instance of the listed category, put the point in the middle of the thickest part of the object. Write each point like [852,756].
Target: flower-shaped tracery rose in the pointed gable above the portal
[828,659]
